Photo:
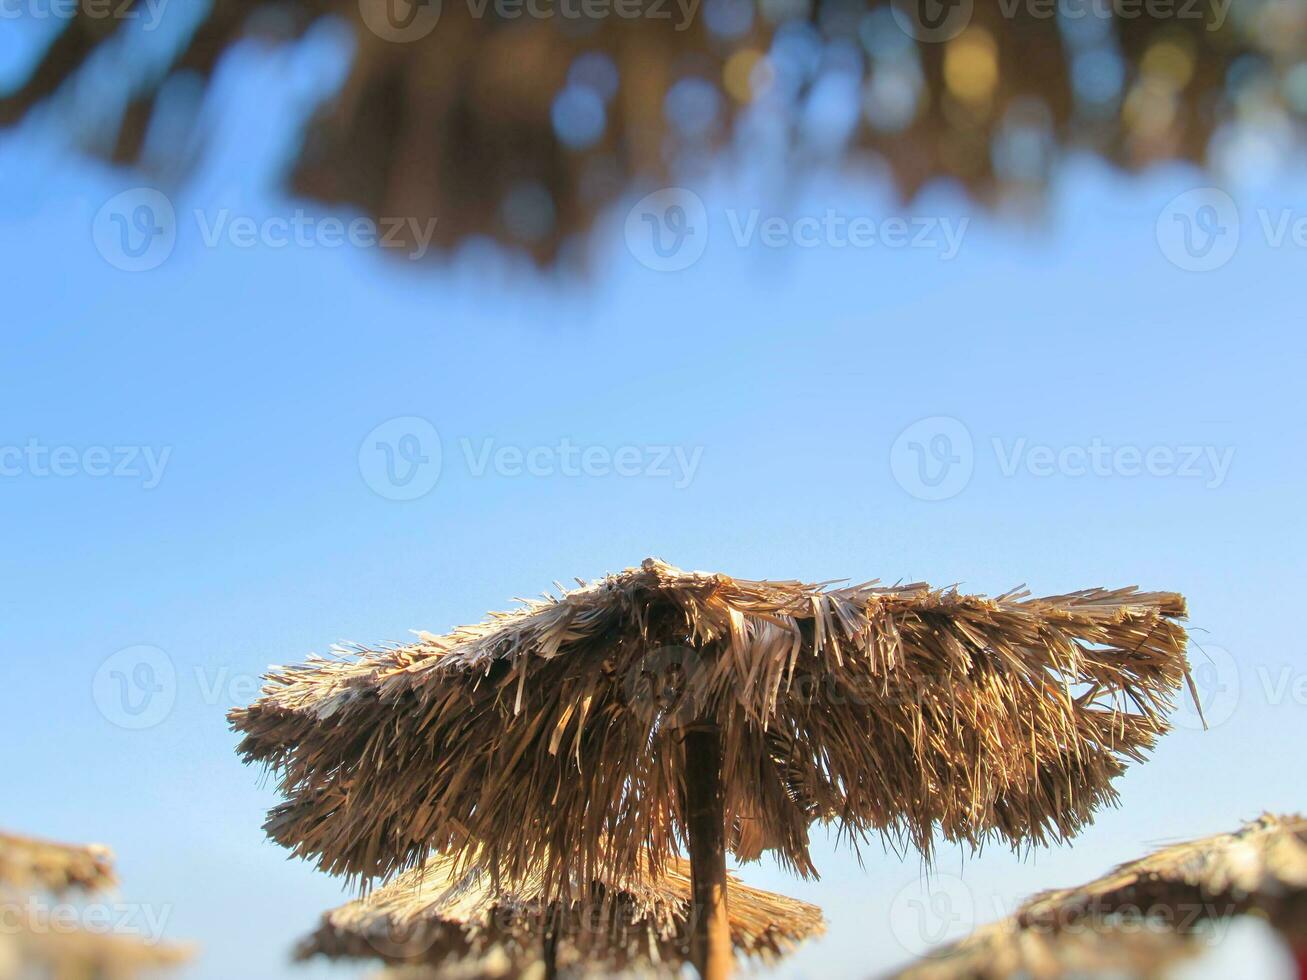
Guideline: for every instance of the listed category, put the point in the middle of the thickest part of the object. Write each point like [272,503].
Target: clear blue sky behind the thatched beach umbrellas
[789,376]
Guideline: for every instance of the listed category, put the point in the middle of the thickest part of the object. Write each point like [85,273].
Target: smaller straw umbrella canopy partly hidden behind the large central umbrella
[446,914]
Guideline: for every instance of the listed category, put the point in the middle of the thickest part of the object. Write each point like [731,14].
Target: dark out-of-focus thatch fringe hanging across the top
[521,126]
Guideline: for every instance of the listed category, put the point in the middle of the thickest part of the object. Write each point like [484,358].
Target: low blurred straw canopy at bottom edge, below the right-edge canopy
[1006,951]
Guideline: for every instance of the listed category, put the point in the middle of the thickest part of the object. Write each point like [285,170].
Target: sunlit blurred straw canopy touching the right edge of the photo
[1261,868]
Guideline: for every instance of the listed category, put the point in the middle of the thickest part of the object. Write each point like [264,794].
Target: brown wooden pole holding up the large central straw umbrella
[705,804]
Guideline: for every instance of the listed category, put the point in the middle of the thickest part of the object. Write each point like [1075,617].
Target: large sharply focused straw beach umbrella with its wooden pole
[585,738]
